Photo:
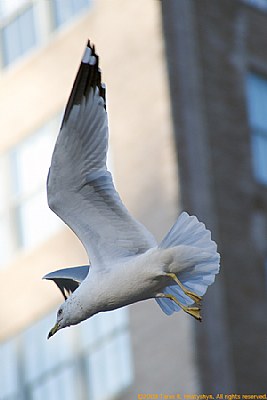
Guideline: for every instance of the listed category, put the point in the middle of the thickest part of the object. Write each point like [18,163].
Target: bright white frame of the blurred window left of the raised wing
[16,201]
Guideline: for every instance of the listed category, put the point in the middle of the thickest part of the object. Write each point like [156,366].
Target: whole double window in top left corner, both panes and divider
[24,24]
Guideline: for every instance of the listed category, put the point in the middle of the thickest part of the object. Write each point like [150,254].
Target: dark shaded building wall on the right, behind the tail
[217,61]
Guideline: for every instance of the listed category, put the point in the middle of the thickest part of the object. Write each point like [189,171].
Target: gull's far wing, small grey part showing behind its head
[68,279]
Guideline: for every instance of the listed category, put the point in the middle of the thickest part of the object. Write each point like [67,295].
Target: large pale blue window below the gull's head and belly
[91,360]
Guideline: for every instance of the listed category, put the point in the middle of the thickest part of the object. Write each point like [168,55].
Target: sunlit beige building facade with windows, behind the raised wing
[114,355]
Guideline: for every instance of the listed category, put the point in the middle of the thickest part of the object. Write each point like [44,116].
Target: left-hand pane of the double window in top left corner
[18,33]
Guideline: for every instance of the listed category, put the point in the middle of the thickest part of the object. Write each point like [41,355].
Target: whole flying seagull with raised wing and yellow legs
[126,264]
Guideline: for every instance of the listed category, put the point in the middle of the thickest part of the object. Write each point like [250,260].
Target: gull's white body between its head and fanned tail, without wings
[140,278]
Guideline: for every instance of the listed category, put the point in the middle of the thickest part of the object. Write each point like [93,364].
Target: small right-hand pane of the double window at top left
[64,10]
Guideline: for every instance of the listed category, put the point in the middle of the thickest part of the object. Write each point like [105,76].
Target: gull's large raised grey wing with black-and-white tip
[80,189]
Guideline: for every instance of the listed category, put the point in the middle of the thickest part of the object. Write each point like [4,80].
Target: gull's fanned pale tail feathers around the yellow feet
[195,261]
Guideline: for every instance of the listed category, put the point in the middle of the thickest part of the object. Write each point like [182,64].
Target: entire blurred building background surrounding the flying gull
[187,97]
